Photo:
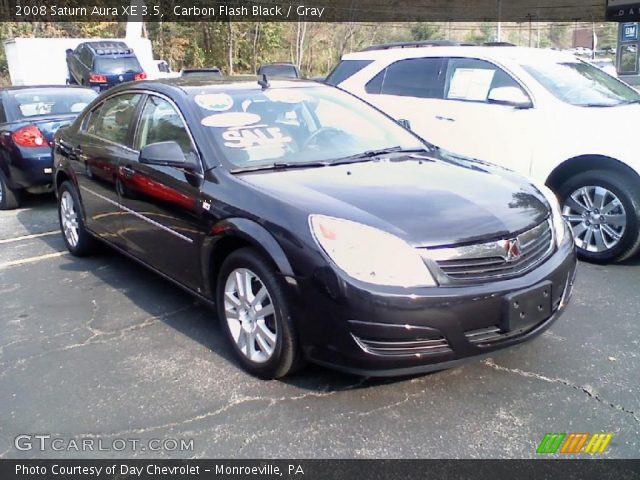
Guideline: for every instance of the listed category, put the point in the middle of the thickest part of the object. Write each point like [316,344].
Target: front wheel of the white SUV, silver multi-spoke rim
[608,204]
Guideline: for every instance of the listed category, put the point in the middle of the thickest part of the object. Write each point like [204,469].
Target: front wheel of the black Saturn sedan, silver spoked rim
[266,345]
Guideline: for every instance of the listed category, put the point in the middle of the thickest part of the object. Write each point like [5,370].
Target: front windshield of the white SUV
[581,84]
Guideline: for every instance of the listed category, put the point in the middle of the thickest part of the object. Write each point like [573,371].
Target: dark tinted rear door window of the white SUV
[413,77]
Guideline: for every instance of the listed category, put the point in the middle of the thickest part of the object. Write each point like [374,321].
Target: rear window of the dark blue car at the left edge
[60,101]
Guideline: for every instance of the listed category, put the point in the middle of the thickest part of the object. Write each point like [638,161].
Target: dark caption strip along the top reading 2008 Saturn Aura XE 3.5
[302,10]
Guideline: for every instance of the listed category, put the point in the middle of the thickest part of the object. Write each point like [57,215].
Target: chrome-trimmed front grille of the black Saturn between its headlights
[490,261]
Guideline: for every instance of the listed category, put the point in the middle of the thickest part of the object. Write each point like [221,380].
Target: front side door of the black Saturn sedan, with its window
[162,223]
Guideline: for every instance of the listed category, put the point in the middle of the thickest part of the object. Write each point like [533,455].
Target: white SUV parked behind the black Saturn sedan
[542,113]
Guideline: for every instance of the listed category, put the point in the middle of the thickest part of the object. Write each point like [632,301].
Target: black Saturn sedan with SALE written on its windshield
[319,228]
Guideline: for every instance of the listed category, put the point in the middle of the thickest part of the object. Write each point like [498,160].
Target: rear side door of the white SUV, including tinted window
[408,90]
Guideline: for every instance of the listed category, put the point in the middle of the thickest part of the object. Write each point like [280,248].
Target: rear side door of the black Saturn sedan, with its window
[95,151]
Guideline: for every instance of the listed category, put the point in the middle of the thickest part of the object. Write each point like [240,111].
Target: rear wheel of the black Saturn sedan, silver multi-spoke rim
[78,240]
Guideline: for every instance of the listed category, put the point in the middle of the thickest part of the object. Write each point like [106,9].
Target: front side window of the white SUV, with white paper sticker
[471,79]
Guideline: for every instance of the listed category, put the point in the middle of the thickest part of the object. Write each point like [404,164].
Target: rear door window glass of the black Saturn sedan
[111,120]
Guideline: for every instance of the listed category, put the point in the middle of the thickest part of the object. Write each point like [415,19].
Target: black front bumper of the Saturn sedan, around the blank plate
[383,332]
